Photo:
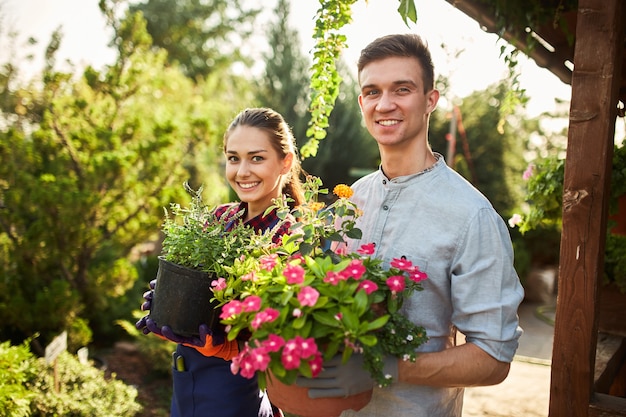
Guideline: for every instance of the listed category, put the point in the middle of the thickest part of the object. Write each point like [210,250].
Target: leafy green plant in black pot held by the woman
[197,246]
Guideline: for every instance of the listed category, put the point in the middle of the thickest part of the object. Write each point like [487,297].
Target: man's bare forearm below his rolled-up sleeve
[465,365]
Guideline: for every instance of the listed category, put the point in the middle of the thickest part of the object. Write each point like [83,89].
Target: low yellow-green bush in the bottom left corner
[27,388]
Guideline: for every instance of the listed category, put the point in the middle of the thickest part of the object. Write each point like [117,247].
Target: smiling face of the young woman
[254,169]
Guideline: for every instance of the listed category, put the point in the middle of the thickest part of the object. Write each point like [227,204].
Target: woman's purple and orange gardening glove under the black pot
[206,342]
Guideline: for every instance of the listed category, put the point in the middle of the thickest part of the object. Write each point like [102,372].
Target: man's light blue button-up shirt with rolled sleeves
[445,226]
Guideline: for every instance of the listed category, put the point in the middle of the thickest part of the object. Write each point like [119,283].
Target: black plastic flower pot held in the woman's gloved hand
[182,299]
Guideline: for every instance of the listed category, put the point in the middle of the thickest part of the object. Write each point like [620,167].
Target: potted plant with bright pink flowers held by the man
[301,304]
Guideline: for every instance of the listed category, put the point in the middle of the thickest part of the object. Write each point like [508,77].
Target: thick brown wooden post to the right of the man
[595,87]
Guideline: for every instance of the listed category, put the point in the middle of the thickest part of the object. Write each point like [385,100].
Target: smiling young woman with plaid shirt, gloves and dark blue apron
[261,165]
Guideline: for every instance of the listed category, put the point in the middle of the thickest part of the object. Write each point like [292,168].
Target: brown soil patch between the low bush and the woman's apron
[126,363]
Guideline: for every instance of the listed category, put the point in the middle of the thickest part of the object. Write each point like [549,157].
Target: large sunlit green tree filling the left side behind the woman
[89,162]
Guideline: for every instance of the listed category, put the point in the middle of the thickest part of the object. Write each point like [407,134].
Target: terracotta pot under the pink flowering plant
[294,399]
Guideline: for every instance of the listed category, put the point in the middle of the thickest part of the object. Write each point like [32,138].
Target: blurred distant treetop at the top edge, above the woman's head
[202,36]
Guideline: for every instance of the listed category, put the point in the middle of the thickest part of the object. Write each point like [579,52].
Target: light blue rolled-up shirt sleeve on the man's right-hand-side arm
[486,291]
